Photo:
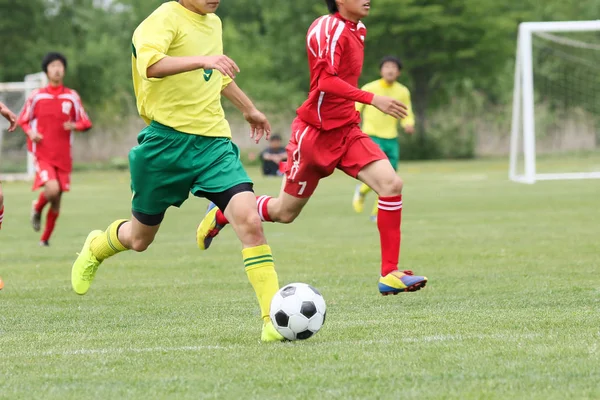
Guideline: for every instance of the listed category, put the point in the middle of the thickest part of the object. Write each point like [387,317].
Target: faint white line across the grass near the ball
[160,349]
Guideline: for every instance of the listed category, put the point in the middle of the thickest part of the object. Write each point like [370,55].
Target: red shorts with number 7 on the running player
[314,154]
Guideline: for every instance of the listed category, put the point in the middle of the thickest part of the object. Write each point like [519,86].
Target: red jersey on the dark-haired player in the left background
[45,112]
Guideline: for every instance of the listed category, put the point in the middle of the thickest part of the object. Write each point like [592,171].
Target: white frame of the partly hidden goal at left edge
[29,84]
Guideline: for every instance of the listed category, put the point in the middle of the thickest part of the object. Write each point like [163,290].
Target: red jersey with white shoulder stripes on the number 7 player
[335,48]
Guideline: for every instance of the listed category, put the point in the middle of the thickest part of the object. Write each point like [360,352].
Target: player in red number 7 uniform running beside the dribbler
[326,135]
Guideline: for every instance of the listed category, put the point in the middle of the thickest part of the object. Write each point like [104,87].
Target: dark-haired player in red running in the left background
[49,117]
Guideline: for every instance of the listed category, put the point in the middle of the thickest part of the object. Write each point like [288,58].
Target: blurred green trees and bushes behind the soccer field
[458,57]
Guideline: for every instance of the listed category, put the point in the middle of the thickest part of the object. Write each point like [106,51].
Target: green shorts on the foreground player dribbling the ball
[167,165]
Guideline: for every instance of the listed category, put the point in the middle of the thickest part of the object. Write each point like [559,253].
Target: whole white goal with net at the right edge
[556,104]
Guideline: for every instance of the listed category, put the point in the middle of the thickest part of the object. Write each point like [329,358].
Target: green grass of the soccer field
[512,308]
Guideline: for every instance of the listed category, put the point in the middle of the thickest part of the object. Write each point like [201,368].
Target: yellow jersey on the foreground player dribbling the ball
[189,102]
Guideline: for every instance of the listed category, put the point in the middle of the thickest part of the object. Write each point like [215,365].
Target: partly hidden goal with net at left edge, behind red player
[15,162]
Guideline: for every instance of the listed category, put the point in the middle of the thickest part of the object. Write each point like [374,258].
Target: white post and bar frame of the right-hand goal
[523,123]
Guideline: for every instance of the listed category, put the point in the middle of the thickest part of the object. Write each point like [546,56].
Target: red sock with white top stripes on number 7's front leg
[388,222]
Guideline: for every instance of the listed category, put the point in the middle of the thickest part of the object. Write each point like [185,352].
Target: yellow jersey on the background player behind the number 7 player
[376,123]
